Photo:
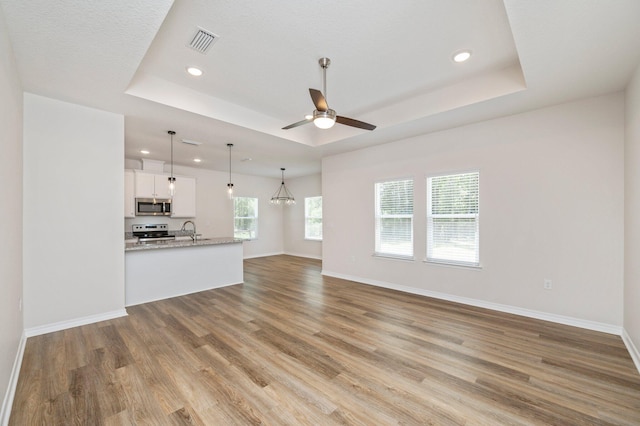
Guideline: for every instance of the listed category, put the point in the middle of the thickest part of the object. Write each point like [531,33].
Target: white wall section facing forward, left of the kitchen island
[73,184]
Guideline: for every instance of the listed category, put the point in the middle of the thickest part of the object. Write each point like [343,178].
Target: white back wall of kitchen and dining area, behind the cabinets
[214,210]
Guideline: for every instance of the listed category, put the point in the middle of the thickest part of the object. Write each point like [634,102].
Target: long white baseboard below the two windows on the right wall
[560,319]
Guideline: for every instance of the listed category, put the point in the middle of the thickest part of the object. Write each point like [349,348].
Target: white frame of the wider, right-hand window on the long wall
[429,227]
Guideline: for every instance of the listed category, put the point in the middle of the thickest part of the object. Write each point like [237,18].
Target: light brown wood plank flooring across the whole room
[290,347]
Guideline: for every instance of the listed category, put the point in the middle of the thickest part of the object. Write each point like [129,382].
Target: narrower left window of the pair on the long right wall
[394,218]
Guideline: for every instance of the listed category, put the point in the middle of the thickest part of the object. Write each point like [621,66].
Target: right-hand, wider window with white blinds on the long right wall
[453,219]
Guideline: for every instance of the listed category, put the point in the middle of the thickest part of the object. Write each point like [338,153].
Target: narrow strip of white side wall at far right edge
[632,214]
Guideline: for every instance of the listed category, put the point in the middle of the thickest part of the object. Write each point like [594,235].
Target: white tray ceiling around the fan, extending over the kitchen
[391,66]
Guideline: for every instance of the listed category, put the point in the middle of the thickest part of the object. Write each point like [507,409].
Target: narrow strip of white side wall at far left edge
[11,324]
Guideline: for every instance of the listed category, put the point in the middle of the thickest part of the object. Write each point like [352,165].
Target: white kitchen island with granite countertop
[164,269]
